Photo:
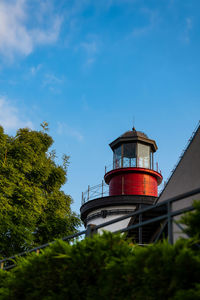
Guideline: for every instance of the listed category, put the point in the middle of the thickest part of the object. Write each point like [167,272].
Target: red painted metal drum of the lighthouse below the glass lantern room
[133,181]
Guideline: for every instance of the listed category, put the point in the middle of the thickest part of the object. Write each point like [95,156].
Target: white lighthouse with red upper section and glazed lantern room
[130,183]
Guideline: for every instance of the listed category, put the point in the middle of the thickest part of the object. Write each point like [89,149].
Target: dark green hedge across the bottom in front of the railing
[105,267]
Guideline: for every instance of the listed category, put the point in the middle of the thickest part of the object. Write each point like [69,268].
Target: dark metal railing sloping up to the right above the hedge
[166,219]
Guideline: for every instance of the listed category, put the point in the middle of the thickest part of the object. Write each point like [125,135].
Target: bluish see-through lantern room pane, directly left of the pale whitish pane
[129,155]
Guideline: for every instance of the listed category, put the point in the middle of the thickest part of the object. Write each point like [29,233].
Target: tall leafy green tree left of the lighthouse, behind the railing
[33,208]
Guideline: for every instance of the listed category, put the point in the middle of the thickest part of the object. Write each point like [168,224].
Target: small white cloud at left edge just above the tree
[11,118]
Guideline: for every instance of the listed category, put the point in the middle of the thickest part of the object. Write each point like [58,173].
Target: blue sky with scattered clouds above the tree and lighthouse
[90,68]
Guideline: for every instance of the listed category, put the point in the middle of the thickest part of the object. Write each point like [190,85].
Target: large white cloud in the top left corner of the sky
[16,34]
